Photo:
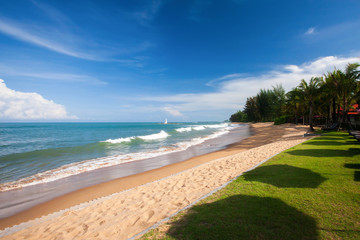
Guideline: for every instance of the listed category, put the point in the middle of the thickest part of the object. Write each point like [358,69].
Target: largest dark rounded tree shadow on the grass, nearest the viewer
[244,217]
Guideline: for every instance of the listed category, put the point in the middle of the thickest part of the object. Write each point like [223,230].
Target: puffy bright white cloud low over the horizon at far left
[15,105]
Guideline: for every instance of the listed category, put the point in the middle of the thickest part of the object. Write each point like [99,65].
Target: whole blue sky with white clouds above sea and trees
[144,61]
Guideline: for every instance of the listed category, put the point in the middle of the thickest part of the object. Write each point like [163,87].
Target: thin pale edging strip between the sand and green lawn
[206,195]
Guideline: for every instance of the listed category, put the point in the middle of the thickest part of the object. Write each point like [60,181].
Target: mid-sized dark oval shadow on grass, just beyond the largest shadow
[285,176]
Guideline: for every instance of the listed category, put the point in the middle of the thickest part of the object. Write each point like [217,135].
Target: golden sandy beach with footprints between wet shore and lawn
[124,207]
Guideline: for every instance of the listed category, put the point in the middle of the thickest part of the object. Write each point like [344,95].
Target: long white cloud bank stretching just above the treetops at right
[232,93]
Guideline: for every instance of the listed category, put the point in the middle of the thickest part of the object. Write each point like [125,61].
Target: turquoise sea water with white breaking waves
[31,153]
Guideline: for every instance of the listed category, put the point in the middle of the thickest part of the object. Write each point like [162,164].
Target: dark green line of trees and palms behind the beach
[328,97]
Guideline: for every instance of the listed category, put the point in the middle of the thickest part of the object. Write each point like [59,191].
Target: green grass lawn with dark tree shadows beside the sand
[311,191]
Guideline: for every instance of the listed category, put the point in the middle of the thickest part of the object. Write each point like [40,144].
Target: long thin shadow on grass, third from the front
[325,152]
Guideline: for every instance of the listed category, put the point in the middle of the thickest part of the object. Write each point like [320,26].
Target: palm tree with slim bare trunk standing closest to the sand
[309,93]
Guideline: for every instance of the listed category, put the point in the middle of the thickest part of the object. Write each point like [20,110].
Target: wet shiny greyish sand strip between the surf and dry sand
[23,198]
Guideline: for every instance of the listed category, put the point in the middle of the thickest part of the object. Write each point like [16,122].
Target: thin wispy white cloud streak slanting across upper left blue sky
[59,39]
